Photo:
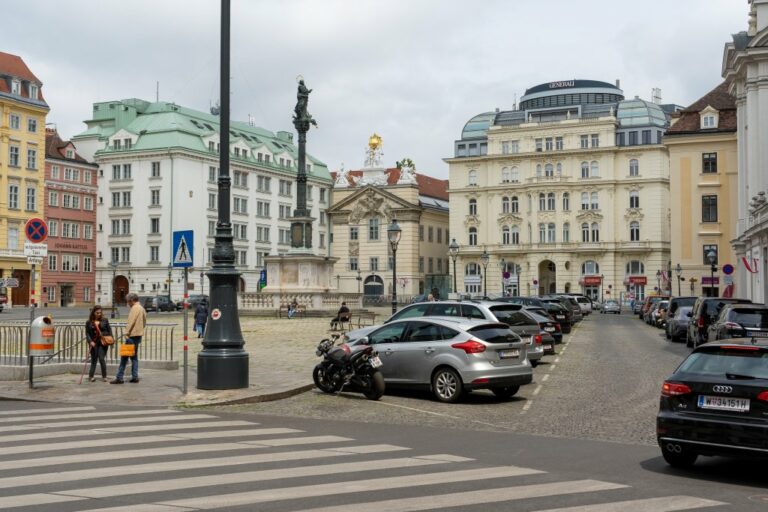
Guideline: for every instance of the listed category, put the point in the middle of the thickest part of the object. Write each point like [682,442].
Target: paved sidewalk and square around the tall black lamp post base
[282,356]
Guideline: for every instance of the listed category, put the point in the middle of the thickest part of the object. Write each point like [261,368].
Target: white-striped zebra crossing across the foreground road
[68,459]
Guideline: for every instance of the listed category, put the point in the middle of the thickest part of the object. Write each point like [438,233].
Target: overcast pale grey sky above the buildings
[414,71]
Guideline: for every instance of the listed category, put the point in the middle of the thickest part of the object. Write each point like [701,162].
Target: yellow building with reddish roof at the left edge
[22,171]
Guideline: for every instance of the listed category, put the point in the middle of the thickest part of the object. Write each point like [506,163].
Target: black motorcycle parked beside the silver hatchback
[343,366]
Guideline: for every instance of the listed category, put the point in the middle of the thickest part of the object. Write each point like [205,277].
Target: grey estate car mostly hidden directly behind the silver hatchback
[522,323]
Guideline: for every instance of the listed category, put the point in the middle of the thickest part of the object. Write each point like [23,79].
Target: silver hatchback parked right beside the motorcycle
[450,355]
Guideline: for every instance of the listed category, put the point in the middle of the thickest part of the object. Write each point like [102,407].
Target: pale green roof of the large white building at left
[164,125]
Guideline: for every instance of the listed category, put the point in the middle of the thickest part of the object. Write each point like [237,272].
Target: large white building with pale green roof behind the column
[158,168]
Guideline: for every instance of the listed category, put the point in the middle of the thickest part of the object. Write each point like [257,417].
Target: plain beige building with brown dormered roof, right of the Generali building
[703,158]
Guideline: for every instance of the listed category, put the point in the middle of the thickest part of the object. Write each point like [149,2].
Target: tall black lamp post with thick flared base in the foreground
[223,363]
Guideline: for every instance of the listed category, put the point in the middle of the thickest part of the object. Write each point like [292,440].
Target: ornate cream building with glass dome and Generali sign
[569,192]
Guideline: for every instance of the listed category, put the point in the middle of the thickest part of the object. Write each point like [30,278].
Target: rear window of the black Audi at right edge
[742,361]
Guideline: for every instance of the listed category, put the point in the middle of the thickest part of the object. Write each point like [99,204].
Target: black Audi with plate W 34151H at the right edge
[716,403]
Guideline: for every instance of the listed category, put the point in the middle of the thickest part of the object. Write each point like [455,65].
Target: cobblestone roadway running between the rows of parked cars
[603,385]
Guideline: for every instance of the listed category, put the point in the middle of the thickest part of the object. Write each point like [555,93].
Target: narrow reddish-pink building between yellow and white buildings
[69,276]
